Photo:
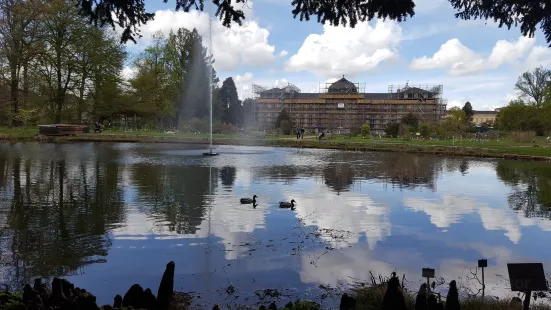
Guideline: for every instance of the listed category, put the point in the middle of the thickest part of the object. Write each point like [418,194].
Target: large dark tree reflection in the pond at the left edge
[57,213]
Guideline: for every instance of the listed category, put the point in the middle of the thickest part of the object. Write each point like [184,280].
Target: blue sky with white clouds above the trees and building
[474,60]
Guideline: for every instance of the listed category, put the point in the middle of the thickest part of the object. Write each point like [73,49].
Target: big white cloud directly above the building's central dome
[343,50]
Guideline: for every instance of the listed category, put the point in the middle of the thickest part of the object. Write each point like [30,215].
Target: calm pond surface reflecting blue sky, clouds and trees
[111,215]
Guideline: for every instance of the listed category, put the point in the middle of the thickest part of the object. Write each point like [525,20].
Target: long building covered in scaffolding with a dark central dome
[342,105]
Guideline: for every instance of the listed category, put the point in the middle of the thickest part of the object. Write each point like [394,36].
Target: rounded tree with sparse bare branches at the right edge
[533,85]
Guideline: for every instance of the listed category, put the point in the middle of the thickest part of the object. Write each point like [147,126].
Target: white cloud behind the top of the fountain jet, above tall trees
[239,45]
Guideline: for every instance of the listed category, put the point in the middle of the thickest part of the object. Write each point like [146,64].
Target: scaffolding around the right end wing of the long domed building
[427,97]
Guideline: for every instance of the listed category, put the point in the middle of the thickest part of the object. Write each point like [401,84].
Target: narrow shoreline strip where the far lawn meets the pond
[367,146]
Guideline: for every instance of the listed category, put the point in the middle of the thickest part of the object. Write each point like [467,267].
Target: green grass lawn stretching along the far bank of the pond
[495,148]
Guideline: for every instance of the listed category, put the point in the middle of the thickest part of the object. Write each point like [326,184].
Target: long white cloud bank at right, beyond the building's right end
[460,60]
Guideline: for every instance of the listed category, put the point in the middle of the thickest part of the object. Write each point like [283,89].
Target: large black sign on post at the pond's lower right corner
[526,278]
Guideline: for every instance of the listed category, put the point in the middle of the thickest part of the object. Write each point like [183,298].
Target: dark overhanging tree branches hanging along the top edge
[131,14]
